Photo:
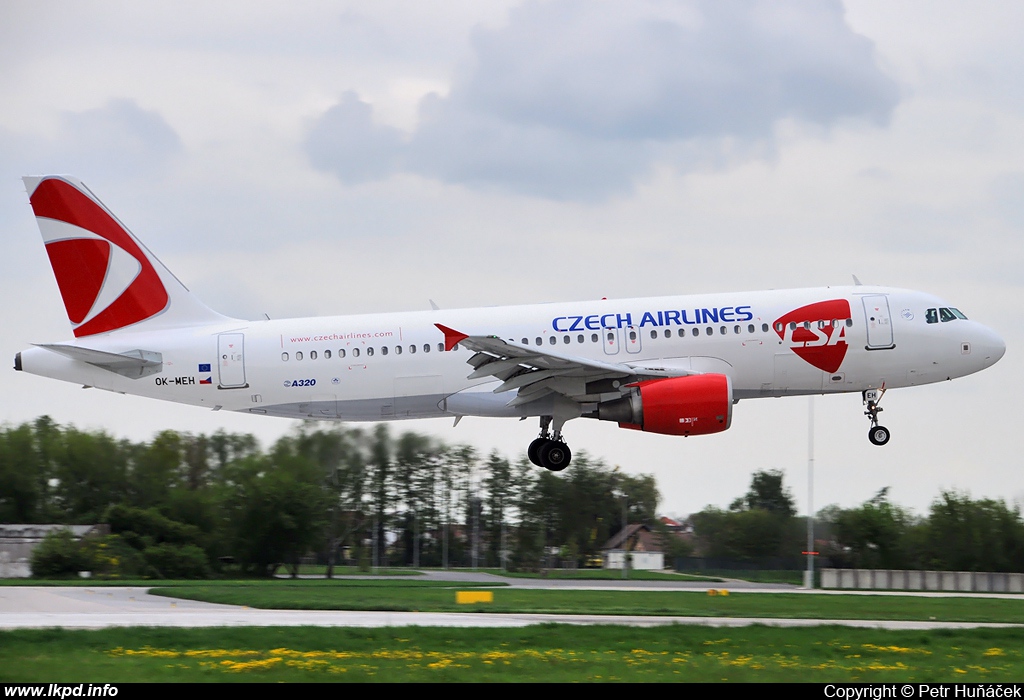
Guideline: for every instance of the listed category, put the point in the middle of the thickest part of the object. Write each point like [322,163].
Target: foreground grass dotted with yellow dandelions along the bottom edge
[542,653]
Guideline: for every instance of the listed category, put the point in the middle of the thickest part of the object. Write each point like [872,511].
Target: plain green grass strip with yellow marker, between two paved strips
[440,597]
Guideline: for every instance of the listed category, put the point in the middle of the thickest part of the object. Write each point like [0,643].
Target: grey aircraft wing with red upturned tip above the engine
[535,373]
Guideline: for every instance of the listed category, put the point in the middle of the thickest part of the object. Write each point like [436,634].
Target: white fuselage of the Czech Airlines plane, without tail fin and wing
[394,366]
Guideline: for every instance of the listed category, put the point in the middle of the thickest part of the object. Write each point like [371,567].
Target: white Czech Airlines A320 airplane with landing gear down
[672,366]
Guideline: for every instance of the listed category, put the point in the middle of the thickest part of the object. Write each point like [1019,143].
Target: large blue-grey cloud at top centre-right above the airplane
[578,100]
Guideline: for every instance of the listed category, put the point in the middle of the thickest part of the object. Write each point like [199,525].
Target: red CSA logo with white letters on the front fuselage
[810,333]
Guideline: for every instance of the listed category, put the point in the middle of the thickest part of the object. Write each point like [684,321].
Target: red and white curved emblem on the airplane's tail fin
[107,280]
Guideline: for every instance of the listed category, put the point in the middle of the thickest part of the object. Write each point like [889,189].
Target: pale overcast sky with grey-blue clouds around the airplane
[331,158]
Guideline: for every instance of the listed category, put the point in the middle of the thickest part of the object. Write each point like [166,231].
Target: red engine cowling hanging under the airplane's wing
[699,405]
